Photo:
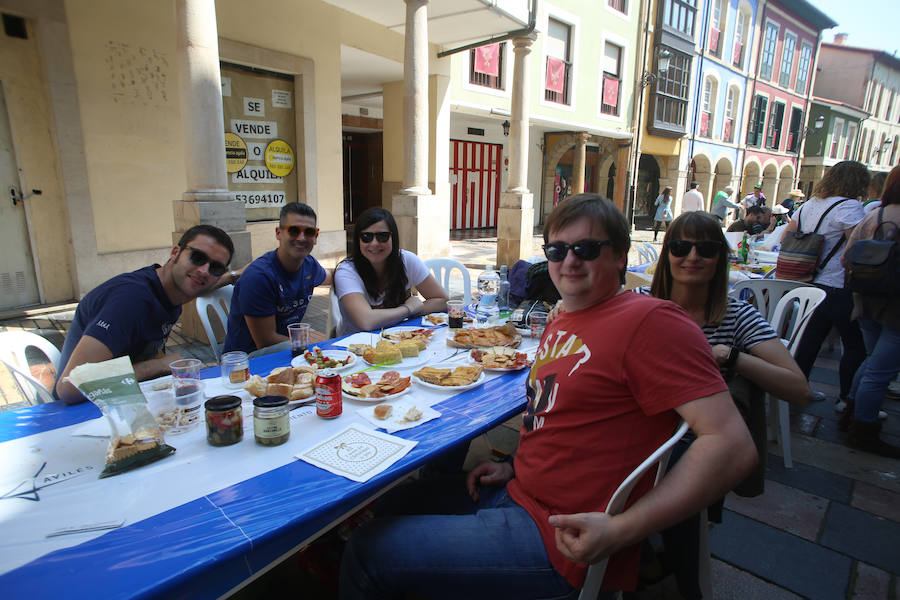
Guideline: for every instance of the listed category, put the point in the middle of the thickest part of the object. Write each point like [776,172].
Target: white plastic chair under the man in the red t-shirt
[616,504]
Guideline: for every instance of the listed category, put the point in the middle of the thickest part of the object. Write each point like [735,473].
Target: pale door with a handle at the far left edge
[18,286]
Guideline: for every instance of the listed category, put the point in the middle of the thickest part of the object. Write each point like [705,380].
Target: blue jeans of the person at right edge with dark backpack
[875,374]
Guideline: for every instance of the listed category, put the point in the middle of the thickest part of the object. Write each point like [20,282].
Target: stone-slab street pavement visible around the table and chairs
[828,528]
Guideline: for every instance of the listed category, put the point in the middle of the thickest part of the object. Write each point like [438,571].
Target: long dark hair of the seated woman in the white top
[395,288]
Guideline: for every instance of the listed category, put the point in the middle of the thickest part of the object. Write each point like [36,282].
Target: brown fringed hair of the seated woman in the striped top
[697,225]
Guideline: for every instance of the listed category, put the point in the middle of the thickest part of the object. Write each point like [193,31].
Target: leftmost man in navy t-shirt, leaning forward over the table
[133,313]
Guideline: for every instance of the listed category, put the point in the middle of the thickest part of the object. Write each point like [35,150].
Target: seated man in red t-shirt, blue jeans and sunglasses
[611,378]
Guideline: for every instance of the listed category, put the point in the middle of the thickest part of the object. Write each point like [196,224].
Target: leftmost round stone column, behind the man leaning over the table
[206,199]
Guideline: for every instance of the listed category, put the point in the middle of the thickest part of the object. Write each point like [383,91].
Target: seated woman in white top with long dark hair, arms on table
[373,283]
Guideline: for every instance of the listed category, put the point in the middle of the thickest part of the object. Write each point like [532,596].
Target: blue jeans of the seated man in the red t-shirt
[489,549]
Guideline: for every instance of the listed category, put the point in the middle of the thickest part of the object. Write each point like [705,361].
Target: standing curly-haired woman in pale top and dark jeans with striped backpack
[846,181]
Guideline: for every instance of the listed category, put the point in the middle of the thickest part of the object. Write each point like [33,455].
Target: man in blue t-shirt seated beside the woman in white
[274,290]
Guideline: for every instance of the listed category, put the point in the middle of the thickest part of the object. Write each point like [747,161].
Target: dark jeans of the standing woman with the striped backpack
[834,311]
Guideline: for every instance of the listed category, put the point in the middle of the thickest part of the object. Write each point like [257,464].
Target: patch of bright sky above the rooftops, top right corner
[869,23]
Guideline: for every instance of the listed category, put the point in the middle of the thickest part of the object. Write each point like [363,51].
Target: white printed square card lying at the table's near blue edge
[356,453]
